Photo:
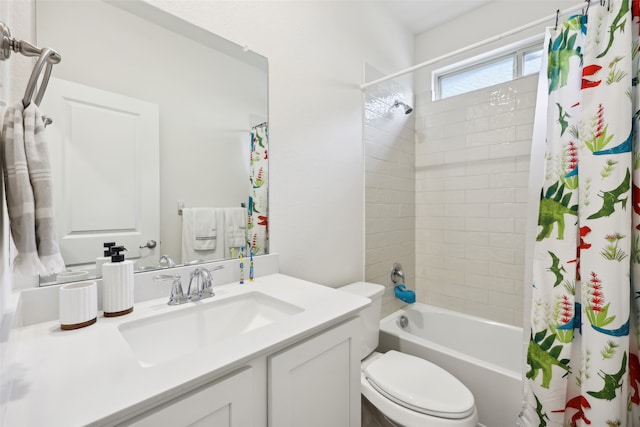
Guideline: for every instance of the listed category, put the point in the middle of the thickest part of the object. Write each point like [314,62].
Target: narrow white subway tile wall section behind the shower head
[389,190]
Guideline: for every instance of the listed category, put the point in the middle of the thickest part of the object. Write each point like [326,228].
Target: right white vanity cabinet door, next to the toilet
[317,383]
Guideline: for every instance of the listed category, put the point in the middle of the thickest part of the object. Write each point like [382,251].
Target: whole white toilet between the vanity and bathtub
[407,390]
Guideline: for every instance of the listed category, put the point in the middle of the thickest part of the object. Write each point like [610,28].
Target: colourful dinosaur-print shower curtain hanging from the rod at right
[582,358]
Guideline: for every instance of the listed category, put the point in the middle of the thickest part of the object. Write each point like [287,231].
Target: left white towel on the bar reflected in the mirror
[189,251]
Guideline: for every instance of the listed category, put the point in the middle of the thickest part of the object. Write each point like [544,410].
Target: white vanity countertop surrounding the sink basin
[90,376]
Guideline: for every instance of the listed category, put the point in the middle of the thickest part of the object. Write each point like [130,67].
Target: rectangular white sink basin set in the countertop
[167,336]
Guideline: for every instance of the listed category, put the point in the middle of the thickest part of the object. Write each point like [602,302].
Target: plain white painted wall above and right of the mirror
[316,51]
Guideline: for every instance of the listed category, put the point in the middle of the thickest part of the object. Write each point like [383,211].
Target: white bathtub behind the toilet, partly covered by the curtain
[486,356]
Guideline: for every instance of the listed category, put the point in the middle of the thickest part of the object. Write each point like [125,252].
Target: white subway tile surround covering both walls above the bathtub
[471,174]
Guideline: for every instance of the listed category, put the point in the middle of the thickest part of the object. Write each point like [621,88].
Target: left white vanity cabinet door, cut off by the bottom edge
[226,403]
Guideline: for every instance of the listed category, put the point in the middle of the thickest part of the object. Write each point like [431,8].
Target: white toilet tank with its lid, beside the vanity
[369,316]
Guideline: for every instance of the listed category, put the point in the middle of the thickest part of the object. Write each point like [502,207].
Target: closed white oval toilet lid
[419,385]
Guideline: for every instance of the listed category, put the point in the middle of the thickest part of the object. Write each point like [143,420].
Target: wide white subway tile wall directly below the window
[472,169]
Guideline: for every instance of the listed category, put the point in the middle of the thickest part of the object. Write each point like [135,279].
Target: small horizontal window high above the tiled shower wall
[489,69]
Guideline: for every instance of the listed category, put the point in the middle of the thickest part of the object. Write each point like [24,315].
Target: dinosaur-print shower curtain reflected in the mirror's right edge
[258,215]
